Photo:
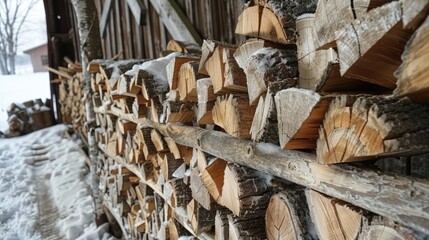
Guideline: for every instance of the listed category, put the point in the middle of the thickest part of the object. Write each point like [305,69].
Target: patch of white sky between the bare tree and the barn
[33,31]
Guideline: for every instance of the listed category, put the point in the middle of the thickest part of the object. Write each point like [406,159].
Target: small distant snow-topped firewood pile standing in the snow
[28,116]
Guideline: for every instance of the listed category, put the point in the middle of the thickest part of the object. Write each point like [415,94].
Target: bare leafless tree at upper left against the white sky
[12,17]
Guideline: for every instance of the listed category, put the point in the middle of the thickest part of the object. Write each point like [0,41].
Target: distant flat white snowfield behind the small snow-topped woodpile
[21,88]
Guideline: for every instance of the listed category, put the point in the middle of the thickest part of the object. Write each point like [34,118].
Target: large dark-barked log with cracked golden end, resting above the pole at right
[372,127]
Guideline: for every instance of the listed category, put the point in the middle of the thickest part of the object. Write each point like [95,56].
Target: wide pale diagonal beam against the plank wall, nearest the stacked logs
[175,21]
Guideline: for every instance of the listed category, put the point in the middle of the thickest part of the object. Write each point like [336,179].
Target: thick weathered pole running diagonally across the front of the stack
[401,199]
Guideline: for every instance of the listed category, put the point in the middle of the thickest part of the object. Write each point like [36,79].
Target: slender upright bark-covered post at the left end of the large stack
[90,46]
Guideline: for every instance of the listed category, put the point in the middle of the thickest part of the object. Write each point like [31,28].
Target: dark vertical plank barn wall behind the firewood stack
[213,19]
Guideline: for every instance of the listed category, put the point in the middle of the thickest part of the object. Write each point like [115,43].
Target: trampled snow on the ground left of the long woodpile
[46,158]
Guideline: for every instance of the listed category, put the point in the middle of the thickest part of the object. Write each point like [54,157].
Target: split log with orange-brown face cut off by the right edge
[413,74]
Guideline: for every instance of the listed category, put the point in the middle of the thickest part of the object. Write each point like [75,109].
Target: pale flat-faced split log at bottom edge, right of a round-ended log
[333,219]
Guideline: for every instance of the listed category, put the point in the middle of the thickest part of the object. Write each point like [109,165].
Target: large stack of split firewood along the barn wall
[323,78]
